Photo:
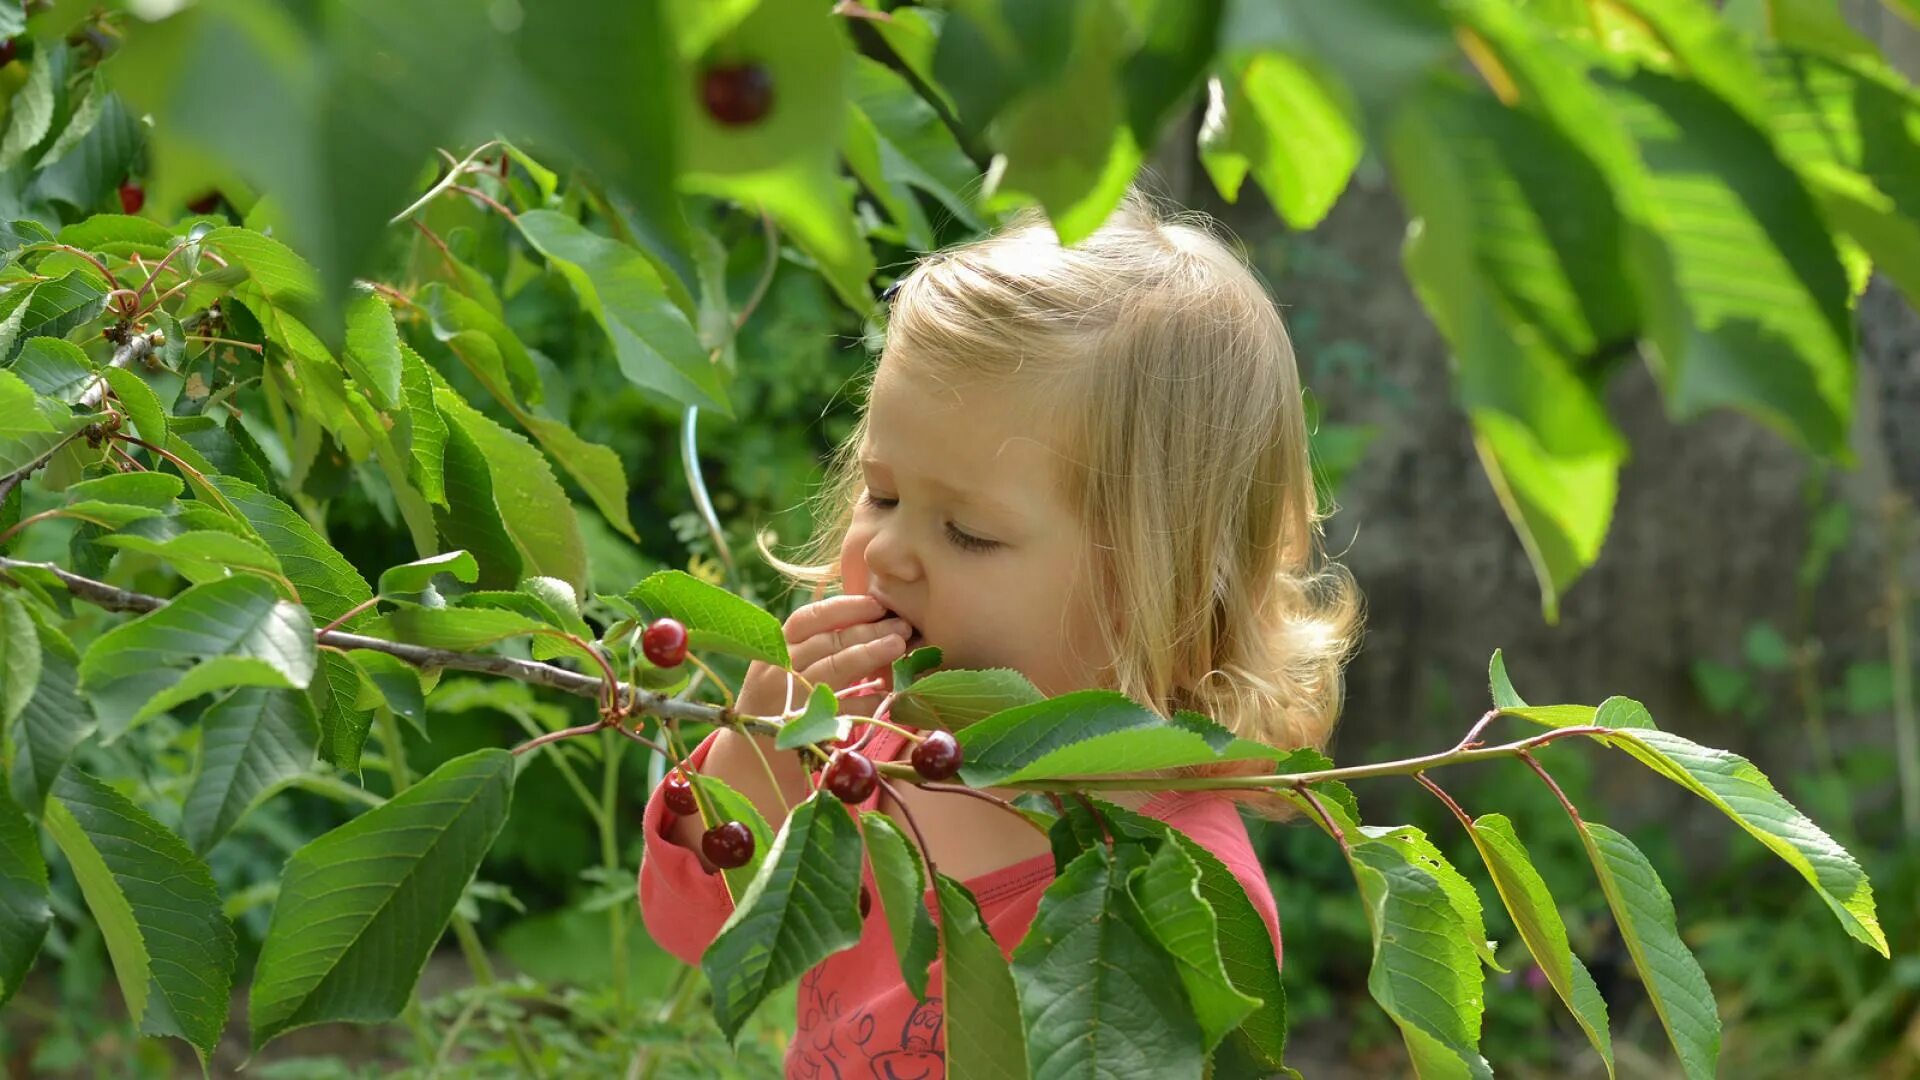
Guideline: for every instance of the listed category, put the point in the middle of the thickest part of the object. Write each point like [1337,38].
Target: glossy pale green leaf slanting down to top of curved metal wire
[652,339]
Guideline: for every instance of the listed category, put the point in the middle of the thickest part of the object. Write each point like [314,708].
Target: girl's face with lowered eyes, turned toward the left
[965,531]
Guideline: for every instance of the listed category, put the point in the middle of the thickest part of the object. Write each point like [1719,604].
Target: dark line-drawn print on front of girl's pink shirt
[832,1044]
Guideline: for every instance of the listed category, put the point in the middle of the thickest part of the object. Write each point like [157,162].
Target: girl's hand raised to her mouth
[838,641]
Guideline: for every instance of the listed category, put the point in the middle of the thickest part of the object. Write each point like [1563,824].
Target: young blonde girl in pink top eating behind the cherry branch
[1086,464]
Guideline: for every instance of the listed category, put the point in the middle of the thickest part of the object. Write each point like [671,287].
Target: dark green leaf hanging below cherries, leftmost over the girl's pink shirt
[800,910]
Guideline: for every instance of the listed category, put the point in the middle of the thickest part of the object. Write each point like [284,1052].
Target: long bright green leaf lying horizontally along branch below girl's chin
[1092,733]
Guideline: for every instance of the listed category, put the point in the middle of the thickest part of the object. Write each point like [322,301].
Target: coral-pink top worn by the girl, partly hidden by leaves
[857,1019]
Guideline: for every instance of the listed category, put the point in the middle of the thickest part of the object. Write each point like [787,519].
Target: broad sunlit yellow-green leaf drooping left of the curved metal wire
[529,499]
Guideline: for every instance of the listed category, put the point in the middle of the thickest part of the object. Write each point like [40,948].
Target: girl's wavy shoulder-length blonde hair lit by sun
[1180,410]
